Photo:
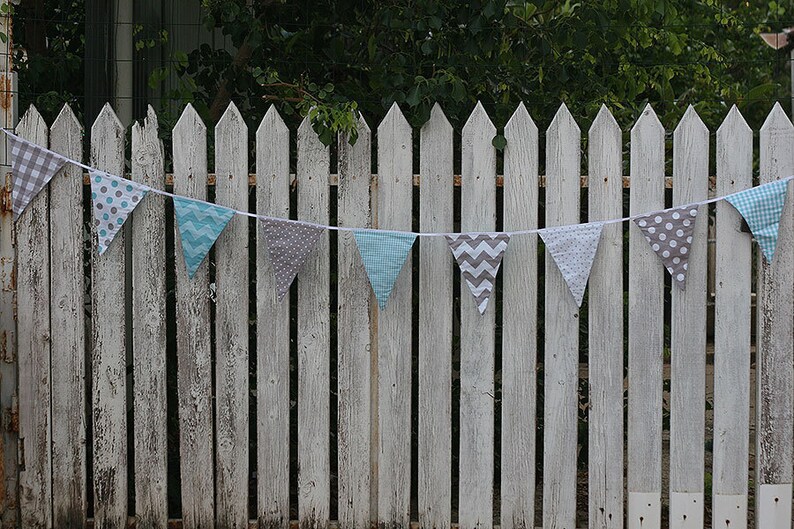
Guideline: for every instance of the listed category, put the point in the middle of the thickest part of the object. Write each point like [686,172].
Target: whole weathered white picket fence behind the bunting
[374,348]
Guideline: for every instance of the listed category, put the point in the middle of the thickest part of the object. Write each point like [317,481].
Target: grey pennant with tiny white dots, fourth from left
[289,244]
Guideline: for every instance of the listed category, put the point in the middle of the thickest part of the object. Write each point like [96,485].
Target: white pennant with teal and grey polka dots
[113,198]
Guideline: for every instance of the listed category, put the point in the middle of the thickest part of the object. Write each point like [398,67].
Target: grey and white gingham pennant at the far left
[33,168]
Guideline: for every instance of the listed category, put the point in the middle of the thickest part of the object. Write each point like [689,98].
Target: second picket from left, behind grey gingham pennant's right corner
[67,320]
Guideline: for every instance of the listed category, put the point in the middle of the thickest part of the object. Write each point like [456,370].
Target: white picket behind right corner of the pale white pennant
[605,327]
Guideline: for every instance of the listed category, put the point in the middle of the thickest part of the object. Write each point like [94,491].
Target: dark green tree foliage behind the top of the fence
[333,59]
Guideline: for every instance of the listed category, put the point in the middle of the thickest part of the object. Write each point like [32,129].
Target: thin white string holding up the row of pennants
[340,228]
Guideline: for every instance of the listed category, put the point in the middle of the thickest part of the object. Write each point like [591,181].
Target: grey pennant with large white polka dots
[669,233]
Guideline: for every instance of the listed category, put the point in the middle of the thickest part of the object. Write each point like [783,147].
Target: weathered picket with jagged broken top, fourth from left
[148,328]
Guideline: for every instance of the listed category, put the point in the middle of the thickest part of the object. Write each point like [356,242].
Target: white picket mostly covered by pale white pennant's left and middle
[561,357]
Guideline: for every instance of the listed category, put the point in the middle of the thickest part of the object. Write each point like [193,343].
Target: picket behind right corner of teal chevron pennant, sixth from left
[231,325]
